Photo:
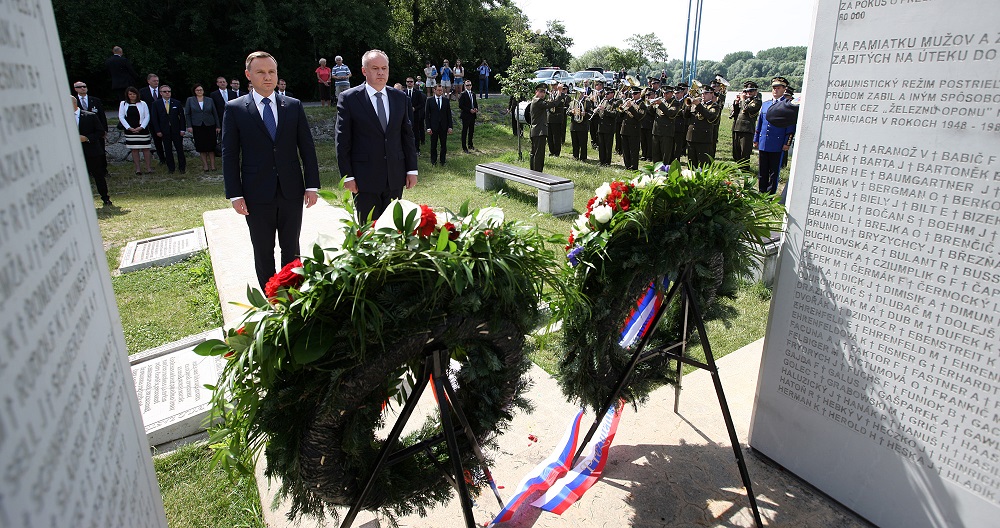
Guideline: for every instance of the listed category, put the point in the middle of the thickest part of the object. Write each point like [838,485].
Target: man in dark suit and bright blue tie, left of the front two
[266,144]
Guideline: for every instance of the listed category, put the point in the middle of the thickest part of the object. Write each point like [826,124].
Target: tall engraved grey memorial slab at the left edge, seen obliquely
[72,447]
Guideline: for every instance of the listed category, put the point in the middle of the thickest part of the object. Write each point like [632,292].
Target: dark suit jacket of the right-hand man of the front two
[377,160]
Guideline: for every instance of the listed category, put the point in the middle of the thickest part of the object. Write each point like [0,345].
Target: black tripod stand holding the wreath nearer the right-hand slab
[691,314]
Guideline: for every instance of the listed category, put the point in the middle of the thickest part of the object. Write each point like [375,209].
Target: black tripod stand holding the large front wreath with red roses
[433,371]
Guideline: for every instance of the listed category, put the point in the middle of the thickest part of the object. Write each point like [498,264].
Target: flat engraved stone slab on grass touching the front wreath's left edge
[170,385]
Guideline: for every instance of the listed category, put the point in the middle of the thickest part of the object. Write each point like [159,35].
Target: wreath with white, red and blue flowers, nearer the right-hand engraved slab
[711,221]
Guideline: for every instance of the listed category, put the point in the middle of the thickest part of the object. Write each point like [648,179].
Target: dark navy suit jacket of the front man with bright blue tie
[253,165]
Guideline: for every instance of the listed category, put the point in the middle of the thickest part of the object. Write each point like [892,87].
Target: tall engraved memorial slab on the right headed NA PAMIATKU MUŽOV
[879,383]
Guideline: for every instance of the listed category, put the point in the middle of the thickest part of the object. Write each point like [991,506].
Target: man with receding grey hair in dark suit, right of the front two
[375,148]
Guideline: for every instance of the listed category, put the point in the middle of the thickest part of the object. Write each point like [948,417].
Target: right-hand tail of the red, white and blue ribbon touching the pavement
[588,471]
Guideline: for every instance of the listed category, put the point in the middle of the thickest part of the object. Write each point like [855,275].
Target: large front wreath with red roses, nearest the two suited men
[326,347]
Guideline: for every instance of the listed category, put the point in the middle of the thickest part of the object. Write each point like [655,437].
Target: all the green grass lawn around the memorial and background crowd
[163,304]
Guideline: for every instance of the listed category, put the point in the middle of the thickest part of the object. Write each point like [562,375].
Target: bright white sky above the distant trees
[726,25]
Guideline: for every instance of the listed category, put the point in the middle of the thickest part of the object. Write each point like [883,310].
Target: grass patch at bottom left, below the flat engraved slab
[197,496]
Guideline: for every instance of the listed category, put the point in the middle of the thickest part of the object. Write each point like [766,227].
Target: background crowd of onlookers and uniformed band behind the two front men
[658,122]
